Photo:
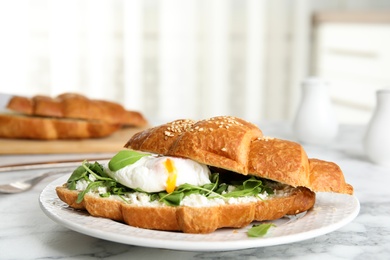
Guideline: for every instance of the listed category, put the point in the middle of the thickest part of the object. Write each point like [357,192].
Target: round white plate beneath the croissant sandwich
[331,212]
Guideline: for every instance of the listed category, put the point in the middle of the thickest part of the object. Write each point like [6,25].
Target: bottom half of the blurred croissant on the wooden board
[26,127]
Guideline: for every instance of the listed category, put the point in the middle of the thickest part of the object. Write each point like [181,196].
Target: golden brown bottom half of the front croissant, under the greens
[192,219]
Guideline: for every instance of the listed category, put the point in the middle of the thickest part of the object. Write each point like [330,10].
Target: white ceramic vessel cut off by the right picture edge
[377,138]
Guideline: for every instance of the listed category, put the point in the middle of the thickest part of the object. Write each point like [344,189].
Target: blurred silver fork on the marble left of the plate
[27,184]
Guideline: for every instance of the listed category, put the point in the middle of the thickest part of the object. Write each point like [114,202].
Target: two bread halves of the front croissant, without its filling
[234,148]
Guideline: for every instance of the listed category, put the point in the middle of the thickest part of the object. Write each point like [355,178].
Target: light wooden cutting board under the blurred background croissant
[113,143]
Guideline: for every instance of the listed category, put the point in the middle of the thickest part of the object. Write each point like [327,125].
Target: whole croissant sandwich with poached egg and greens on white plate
[197,177]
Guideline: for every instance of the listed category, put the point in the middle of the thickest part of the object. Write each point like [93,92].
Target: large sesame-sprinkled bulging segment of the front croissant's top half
[220,141]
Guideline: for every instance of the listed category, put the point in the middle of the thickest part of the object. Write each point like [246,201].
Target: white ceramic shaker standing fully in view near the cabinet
[315,121]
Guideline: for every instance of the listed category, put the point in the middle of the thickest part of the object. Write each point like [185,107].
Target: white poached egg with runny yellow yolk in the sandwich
[155,174]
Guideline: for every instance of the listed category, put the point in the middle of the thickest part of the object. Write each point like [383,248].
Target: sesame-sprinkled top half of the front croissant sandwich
[233,144]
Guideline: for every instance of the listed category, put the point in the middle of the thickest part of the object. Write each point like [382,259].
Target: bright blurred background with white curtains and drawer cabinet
[198,58]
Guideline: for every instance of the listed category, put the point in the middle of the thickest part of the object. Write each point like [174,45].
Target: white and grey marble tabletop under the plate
[27,233]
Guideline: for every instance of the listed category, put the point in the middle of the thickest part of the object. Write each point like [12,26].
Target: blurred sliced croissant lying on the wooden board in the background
[67,116]
